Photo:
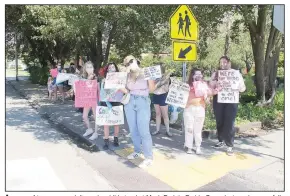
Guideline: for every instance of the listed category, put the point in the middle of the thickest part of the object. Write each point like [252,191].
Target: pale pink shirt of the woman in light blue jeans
[140,87]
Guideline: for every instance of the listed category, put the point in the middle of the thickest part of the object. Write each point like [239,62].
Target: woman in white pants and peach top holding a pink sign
[194,112]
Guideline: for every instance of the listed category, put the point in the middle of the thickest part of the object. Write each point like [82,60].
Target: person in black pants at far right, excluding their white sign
[225,113]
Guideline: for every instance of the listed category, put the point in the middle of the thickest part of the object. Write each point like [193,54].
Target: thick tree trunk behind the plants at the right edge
[265,50]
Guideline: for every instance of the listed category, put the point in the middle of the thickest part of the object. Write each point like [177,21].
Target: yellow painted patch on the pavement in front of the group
[183,176]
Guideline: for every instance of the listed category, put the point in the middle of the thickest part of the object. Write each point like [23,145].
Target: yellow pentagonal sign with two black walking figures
[183,24]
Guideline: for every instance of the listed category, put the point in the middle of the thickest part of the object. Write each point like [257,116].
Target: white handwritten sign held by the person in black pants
[229,83]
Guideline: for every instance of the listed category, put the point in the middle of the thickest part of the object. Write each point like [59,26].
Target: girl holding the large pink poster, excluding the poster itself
[88,73]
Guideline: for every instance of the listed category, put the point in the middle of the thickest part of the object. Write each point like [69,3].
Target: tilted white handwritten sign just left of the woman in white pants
[178,93]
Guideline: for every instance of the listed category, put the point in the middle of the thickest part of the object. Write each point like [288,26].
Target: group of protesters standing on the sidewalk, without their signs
[136,102]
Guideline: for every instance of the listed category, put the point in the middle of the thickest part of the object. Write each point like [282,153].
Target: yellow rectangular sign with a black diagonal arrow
[184,51]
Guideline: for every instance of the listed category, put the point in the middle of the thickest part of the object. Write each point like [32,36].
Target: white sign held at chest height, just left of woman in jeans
[116,80]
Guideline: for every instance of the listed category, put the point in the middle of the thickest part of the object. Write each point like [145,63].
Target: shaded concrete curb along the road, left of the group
[79,139]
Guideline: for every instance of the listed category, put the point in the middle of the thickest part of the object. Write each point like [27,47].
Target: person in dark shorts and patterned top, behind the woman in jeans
[159,98]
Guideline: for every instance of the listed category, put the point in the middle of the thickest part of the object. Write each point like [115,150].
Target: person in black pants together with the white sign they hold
[224,104]
